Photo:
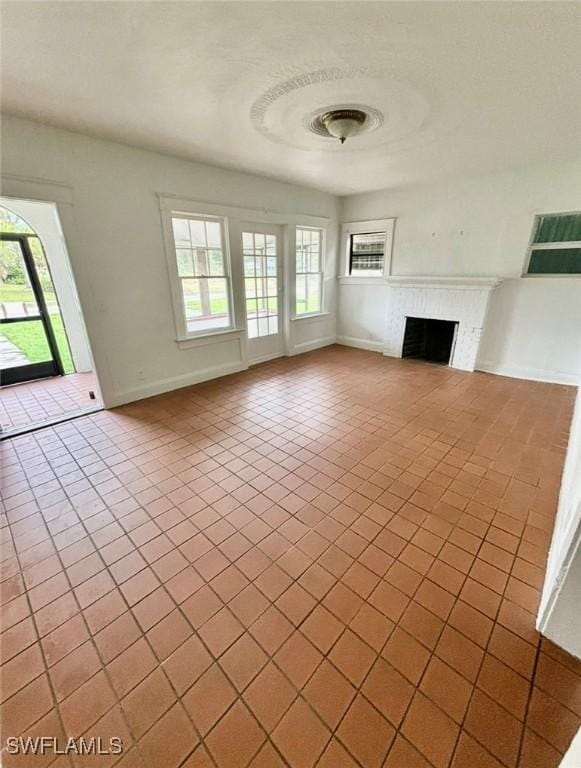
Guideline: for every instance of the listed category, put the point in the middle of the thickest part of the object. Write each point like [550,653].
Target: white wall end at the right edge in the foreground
[559,615]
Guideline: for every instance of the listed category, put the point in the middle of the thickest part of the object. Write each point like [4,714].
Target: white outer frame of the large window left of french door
[183,334]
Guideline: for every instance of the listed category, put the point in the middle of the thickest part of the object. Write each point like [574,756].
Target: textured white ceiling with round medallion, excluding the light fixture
[463,87]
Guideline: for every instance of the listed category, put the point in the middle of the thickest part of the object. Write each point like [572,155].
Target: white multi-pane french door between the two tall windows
[263,286]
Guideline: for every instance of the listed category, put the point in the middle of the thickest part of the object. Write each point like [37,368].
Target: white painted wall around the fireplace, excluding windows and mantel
[480,226]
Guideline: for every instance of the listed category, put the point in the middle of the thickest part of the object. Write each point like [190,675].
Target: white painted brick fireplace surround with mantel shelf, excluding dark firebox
[460,299]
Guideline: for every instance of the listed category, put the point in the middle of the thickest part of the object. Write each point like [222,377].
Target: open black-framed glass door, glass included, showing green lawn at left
[28,348]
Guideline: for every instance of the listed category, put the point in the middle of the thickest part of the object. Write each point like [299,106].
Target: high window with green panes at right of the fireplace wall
[556,245]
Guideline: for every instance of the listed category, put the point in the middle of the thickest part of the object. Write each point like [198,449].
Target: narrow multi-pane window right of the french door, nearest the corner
[309,271]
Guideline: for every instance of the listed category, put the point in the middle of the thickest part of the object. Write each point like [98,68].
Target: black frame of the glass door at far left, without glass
[54,366]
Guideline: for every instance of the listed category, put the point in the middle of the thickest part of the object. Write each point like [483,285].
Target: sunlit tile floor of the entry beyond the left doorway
[36,402]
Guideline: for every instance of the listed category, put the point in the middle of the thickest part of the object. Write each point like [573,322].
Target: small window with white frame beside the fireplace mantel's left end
[367,248]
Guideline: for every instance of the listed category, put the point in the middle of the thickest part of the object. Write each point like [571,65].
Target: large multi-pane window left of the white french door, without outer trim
[202,269]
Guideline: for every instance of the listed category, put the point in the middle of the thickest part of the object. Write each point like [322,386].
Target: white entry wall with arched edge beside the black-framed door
[43,219]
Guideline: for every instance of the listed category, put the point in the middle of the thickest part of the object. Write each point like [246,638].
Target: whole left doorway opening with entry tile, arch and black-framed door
[46,367]
